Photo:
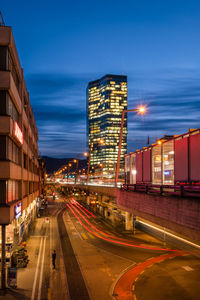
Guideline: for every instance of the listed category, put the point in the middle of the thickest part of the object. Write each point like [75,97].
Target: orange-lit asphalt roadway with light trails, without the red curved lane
[95,253]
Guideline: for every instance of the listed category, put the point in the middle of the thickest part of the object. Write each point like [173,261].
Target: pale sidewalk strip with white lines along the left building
[54,284]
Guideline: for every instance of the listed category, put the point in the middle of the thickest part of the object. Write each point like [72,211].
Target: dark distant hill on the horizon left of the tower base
[53,164]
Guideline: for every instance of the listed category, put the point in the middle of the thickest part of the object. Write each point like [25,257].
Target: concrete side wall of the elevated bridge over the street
[179,214]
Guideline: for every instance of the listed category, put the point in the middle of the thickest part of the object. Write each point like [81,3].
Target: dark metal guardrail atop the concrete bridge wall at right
[174,190]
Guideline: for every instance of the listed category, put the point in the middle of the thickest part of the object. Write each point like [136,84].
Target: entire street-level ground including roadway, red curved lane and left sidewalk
[95,262]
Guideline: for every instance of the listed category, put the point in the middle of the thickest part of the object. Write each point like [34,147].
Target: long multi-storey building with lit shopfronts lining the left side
[19,180]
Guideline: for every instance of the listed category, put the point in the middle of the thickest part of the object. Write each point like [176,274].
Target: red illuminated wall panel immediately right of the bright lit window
[181,160]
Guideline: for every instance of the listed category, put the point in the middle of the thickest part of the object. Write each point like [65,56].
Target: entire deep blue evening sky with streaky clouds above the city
[63,45]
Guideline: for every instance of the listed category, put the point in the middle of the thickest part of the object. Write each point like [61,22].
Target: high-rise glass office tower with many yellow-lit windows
[106,99]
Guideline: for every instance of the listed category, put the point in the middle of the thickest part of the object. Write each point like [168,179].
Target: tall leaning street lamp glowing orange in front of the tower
[140,110]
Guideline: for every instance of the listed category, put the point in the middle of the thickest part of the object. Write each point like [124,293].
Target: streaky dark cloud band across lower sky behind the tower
[59,104]
